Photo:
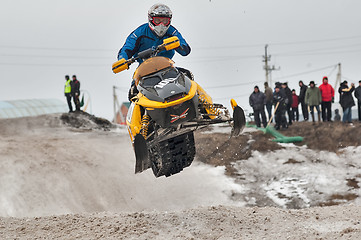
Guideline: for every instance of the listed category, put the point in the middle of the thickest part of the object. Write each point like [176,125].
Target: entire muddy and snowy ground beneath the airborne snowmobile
[72,177]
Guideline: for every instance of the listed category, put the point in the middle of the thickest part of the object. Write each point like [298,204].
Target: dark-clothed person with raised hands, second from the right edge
[346,100]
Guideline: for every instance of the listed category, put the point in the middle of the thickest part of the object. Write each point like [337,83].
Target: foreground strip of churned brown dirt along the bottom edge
[200,223]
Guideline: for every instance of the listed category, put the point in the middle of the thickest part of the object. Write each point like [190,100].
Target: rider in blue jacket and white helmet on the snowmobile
[150,35]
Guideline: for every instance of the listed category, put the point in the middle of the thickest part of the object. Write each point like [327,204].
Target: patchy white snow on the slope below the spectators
[311,175]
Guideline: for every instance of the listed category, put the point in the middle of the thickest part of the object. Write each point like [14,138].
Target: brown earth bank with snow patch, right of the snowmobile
[322,170]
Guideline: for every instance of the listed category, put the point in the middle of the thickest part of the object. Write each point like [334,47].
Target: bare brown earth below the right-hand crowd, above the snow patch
[221,150]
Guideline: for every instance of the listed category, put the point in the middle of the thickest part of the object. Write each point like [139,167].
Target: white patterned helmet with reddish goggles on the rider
[159,18]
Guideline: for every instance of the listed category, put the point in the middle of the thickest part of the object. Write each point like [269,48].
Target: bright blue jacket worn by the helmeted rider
[143,38]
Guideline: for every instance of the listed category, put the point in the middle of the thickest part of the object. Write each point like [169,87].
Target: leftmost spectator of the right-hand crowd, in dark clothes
[257,100]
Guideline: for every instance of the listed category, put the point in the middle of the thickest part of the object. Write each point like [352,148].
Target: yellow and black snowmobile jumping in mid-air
[169,107]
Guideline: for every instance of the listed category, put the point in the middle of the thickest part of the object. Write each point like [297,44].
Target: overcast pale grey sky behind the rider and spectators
[43,40]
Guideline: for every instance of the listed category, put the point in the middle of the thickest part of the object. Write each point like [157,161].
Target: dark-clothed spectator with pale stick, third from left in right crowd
[279,101]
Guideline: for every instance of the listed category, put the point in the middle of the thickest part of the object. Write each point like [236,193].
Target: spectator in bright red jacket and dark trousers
[327,94]
